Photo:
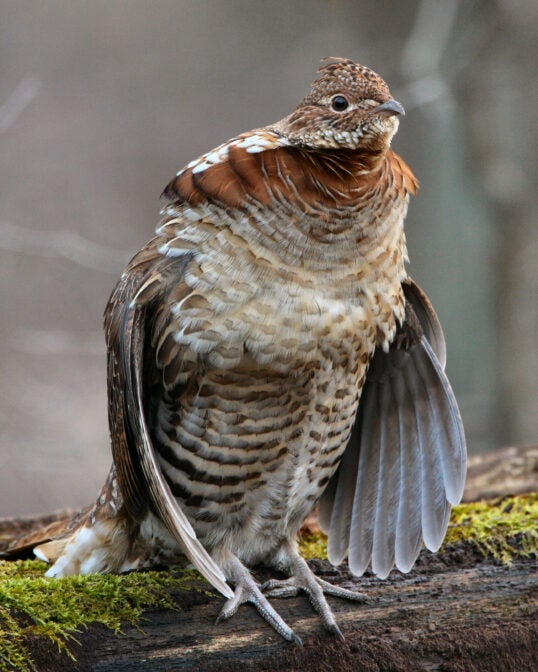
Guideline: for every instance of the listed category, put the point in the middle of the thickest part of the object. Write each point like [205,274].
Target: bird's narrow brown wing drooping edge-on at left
[127,323]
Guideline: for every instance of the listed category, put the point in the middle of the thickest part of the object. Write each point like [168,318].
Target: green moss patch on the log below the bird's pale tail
[32,605]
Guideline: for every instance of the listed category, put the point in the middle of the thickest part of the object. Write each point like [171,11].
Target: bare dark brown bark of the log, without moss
[454,612]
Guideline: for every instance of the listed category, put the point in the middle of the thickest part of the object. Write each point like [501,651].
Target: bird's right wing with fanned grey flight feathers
[405,462]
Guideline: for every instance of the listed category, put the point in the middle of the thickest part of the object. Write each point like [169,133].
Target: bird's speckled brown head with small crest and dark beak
[349,106]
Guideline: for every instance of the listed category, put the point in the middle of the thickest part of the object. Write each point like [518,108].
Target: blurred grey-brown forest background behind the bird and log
[102,102]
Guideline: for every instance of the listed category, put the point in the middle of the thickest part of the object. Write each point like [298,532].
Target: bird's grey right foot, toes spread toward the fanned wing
[300,578]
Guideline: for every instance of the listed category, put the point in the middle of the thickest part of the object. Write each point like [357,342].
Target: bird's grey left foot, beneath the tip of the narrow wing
[247,590]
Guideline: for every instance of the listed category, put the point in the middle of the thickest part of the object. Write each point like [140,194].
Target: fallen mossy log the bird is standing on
[472,606]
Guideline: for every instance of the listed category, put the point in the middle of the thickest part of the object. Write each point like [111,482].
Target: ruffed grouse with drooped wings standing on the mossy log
[268,352]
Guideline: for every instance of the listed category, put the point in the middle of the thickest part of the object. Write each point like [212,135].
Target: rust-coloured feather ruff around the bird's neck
[326,181]
